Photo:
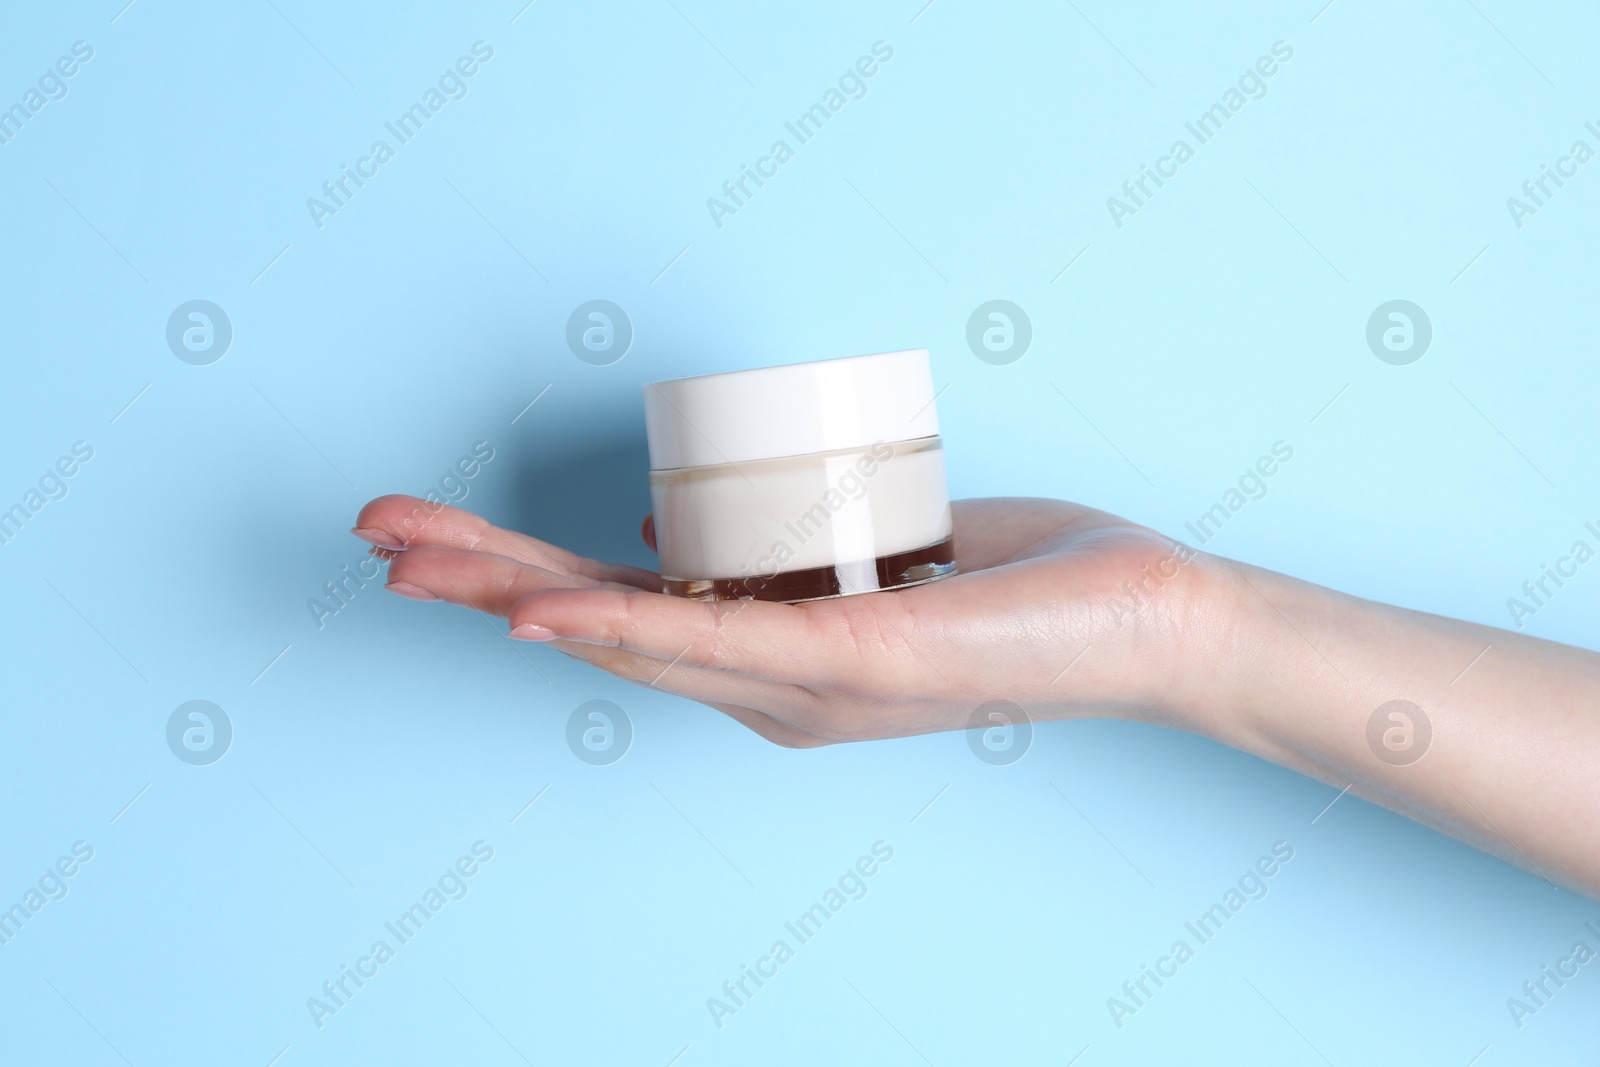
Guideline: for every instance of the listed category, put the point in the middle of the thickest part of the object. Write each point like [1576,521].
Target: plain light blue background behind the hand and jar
[367,359]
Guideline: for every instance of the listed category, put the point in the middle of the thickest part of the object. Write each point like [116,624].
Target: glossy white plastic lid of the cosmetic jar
[790,410]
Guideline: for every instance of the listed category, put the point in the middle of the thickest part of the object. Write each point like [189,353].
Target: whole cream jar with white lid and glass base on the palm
[799,482]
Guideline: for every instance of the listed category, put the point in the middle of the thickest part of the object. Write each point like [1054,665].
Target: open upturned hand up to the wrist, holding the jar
[1057,609]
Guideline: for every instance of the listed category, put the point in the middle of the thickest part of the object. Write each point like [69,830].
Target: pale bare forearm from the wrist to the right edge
[1503,754]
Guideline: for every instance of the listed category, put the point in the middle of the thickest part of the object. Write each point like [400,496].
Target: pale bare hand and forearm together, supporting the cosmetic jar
[1041,617]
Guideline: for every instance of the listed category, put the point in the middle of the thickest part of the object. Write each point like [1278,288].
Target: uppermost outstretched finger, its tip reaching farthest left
[401,522]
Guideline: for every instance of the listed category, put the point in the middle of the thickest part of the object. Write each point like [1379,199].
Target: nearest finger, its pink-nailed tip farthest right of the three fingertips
[750,637]
